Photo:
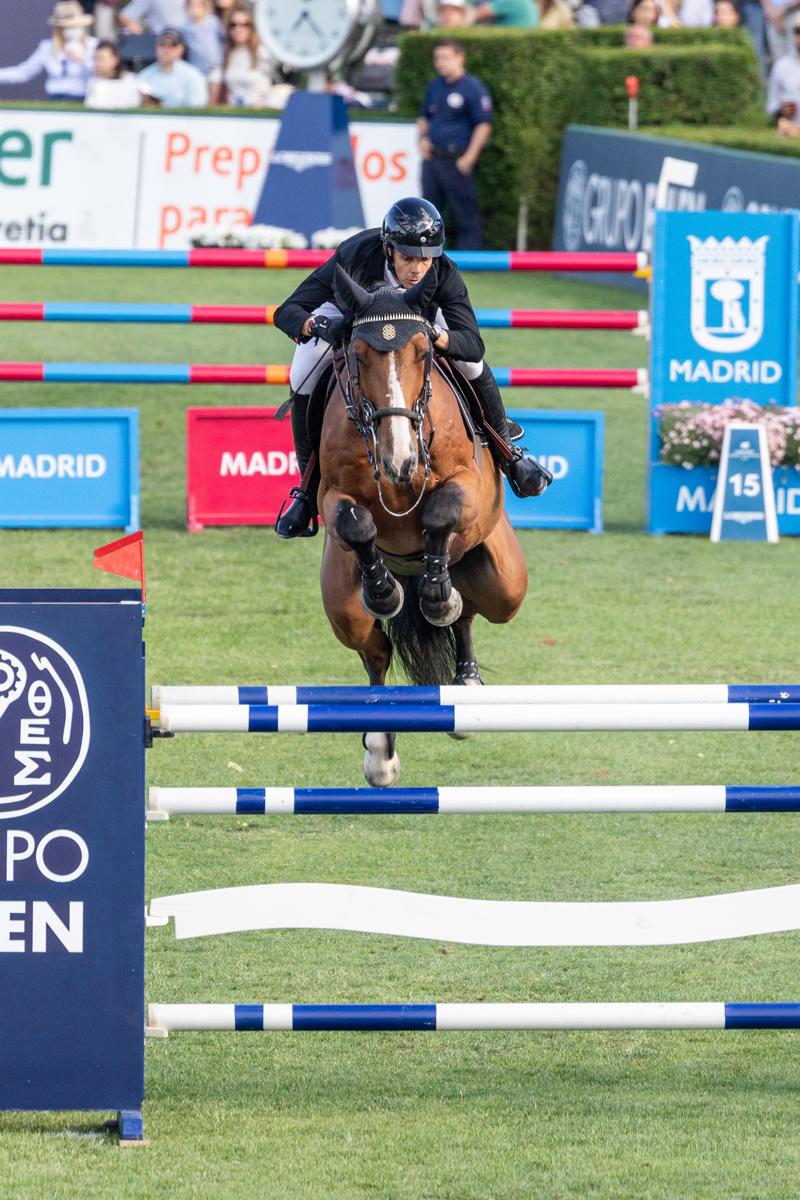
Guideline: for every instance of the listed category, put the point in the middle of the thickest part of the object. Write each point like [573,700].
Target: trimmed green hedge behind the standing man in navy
[542,81]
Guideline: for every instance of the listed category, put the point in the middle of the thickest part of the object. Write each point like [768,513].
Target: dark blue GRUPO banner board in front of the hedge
[612,183]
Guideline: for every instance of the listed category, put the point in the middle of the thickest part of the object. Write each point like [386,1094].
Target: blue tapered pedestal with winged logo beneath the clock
[311,181]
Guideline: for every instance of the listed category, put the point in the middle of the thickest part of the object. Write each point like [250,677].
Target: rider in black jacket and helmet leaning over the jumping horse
[400,254]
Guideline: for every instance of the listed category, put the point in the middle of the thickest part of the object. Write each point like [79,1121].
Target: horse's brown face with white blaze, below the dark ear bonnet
[393,382]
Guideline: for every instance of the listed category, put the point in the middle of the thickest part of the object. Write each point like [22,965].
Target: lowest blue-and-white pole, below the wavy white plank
[165,1019]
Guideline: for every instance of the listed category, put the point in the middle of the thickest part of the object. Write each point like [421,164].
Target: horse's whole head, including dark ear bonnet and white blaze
[389,361]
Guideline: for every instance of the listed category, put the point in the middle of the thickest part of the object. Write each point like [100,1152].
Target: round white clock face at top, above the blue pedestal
[309,35]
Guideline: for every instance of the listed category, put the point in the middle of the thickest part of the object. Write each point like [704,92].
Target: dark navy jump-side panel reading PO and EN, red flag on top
[73,851]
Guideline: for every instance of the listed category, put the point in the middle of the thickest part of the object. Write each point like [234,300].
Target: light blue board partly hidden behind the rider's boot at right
[570,445]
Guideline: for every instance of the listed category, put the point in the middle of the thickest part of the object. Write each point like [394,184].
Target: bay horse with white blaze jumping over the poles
[407,493]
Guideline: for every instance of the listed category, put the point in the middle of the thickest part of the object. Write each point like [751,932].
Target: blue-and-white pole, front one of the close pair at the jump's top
[473,718]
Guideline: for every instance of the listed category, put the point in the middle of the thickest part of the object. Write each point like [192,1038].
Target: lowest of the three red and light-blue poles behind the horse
[279,374]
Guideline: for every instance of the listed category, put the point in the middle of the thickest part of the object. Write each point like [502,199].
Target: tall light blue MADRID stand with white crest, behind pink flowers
[725,328]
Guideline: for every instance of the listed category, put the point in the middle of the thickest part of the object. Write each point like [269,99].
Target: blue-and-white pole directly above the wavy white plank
[431,801]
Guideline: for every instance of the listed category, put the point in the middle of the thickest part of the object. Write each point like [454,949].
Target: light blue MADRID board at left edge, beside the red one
[70,467]
